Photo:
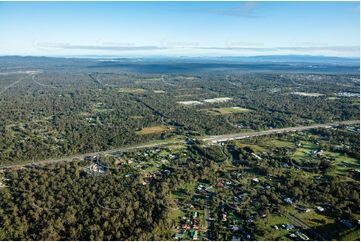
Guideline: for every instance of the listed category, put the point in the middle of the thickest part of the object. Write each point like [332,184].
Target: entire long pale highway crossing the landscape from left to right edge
[206,139]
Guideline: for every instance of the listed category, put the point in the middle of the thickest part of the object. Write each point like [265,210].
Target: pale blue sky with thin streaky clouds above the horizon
[138,29]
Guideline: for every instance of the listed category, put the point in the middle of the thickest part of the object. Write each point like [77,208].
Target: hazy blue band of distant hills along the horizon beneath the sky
[159,64]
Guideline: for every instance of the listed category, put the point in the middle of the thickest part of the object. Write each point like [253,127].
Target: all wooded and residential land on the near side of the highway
[238,190]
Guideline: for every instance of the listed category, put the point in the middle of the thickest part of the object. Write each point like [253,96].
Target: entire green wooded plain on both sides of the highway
[290,186]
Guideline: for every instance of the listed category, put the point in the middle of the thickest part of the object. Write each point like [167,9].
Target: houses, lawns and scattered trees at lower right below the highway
[264,184]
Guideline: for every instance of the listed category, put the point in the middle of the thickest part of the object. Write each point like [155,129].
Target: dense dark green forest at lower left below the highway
[64,202]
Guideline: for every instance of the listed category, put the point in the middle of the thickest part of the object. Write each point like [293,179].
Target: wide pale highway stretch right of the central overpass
[229,137]
